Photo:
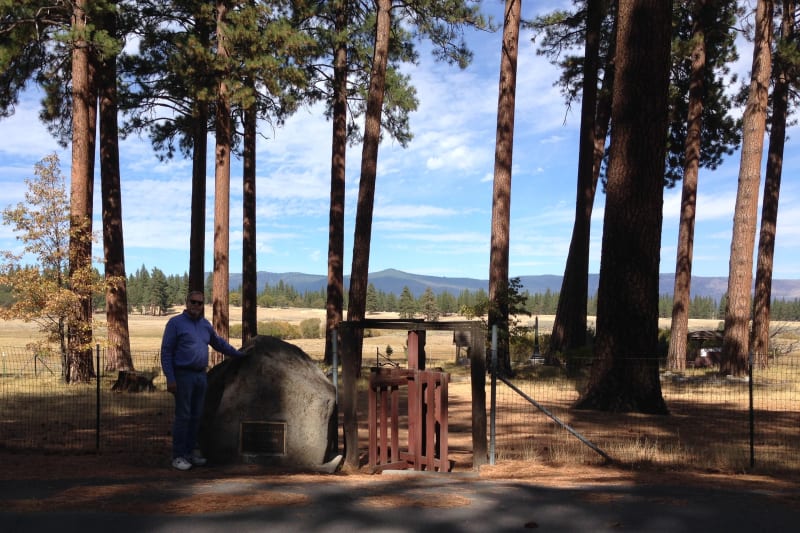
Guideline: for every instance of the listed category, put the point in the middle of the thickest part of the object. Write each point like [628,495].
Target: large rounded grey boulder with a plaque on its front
[274,406]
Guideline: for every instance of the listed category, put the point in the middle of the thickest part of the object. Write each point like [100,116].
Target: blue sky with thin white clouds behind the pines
[433,199]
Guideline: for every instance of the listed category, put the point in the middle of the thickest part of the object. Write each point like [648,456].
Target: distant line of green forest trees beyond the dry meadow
[153,292]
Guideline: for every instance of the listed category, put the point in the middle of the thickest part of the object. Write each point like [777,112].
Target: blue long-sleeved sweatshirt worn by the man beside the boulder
[185,344]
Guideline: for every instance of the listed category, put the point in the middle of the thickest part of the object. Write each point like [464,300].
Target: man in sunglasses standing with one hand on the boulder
[184,359]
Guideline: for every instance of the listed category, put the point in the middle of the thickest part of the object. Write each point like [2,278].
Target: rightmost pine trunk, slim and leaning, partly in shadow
[772,188]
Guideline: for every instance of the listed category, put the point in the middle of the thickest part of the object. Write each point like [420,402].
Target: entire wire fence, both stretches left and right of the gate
[714,422]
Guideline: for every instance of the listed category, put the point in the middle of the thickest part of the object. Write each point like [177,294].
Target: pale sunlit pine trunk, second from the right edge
[735,344]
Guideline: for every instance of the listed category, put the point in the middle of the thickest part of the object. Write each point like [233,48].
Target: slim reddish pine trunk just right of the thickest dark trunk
[676,355]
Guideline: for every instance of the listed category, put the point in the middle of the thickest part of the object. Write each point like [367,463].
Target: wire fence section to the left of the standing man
[39,411]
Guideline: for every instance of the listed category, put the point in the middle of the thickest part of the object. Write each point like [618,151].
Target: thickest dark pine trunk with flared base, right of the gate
[624,375]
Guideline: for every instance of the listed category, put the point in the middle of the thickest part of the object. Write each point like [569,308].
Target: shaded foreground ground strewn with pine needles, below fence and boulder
[81,493]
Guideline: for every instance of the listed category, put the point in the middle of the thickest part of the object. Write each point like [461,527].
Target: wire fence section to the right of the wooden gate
[715,422]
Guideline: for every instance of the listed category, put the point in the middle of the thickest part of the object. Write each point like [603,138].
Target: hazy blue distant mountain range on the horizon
[393,281]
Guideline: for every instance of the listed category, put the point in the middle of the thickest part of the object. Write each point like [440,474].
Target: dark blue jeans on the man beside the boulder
[189,399]
